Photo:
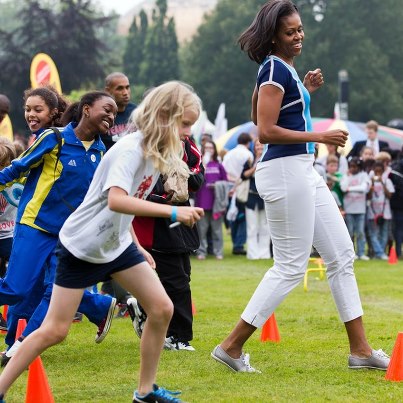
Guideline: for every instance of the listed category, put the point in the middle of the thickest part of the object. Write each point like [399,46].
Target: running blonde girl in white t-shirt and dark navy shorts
[96,242]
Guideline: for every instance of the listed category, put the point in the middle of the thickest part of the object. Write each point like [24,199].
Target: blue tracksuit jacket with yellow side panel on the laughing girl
[54,186]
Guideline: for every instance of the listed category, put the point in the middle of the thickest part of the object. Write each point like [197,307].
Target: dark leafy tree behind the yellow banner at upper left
[67,30]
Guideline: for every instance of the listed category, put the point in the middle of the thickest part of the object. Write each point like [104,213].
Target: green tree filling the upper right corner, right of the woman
[359,40]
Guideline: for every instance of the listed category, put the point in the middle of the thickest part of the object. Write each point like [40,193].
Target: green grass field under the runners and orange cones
[309,364]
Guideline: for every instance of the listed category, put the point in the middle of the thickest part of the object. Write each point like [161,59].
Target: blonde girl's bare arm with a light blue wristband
[120,201]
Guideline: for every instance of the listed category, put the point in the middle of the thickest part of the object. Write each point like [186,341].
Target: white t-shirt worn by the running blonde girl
[95,233]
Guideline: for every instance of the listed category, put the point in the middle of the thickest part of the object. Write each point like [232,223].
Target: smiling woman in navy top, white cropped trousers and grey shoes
[299,206]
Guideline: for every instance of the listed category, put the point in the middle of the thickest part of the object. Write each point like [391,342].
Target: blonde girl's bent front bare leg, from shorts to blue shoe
[142,282]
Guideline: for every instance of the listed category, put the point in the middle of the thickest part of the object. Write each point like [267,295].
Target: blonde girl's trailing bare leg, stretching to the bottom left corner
[55,327]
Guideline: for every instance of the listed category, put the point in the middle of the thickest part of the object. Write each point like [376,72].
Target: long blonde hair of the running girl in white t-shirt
[159,117]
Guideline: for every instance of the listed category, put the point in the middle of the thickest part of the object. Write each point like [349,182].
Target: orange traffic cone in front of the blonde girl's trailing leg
[38,389]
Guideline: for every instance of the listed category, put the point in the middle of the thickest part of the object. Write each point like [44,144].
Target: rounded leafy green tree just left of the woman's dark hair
[214,64]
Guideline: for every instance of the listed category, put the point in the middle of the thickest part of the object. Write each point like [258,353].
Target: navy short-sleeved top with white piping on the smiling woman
[294,112]
